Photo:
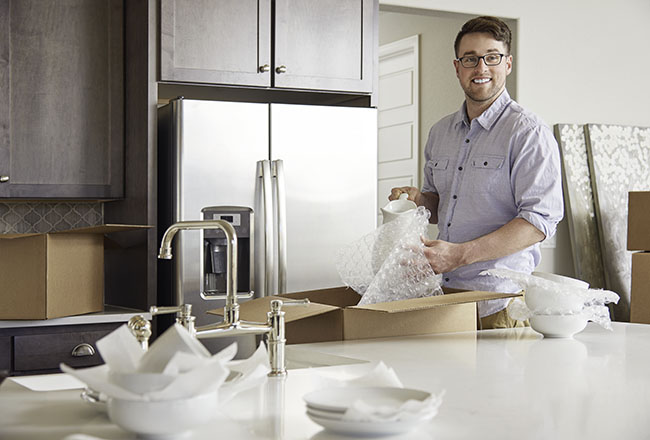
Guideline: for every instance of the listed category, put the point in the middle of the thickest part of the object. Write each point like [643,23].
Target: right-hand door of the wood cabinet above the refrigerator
[324,45]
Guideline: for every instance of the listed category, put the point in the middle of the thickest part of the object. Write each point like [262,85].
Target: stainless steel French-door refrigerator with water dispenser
[298,182]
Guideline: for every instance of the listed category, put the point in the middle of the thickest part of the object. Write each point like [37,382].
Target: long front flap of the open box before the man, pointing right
[434,301]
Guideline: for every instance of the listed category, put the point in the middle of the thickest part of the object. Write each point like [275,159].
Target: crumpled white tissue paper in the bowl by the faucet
[176,366]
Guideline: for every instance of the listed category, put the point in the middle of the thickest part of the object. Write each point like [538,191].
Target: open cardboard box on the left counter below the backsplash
[53,275]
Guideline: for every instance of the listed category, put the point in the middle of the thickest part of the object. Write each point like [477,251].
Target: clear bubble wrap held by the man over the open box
[389,264]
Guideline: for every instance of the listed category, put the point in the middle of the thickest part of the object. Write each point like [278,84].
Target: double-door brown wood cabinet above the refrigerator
[283,44]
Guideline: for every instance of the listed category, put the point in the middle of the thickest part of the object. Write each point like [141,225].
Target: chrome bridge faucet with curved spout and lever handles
[231,325]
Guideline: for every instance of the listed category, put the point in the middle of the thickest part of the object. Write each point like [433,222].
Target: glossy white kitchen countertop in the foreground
[500,384]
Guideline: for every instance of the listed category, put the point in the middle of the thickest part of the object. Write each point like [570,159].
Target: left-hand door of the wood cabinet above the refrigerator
[216,41]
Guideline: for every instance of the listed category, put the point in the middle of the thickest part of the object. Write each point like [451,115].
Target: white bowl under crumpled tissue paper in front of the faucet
[163,418]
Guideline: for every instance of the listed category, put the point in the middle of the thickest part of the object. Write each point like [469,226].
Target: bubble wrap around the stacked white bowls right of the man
[594,300]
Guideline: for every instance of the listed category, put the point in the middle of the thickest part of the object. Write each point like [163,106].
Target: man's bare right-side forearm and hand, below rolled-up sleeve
[512,237]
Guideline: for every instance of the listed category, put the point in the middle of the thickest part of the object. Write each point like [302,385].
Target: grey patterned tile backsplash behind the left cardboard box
[42,217]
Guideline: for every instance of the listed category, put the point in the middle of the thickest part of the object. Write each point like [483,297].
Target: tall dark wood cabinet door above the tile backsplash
[61,99]
